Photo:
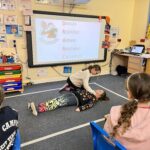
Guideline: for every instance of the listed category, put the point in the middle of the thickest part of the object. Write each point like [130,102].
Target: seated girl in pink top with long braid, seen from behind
[130,123]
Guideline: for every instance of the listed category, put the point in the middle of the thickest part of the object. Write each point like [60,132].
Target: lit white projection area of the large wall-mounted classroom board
[63,39]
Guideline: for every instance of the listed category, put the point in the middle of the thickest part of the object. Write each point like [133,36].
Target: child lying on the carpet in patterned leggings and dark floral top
[80,98]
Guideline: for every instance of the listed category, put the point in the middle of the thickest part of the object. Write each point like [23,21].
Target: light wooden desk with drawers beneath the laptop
[132,62]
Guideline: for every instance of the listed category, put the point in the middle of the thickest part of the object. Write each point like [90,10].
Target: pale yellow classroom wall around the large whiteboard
[123,15]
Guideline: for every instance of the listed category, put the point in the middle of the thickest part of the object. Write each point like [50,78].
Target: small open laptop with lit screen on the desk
[137,49]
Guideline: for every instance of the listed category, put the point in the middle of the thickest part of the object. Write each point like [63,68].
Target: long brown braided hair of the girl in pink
[138,85]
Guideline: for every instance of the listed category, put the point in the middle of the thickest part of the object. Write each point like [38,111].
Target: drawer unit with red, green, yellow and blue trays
[11,77]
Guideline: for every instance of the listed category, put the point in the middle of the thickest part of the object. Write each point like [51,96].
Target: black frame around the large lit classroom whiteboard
[30,48]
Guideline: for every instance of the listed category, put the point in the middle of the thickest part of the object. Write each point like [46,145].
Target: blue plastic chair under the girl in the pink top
[102,140]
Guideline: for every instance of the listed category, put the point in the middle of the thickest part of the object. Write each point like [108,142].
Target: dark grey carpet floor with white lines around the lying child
[32,127]
